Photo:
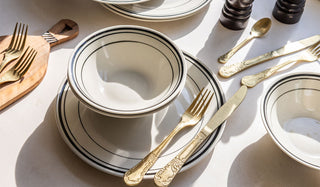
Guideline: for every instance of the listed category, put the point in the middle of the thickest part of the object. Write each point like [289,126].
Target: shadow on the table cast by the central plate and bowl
[45,160]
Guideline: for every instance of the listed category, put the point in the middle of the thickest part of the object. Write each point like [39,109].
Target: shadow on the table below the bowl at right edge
[264,164]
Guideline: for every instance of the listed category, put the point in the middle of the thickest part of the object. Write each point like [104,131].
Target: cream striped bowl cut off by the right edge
[291,114]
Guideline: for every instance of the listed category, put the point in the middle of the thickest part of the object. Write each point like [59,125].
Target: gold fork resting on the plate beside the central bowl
[189,118]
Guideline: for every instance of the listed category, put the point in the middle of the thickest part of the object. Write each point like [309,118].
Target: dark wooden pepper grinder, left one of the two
[236,13]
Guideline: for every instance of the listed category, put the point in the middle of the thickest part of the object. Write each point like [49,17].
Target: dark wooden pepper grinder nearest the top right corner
[288,11]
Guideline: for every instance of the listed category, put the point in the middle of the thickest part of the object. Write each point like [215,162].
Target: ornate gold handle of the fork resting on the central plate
[135,175]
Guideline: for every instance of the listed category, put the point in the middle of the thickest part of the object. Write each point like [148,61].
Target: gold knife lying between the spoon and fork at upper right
[229,70]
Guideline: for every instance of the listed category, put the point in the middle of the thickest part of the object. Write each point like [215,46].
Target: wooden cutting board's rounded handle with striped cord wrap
[62,31]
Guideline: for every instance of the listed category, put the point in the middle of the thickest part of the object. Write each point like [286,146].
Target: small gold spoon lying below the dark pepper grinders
[259,29]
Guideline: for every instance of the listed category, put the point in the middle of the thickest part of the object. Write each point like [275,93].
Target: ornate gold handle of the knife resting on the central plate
[167,173]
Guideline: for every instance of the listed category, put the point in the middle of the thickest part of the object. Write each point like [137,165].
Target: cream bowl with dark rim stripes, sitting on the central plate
[126,71]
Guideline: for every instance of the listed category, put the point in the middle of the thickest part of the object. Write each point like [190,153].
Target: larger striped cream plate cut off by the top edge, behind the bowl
[158,10]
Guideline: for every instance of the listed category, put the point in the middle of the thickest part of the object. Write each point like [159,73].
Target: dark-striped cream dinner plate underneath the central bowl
[114,145]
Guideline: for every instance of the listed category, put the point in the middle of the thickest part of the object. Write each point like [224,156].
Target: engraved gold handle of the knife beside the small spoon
[228,71]
